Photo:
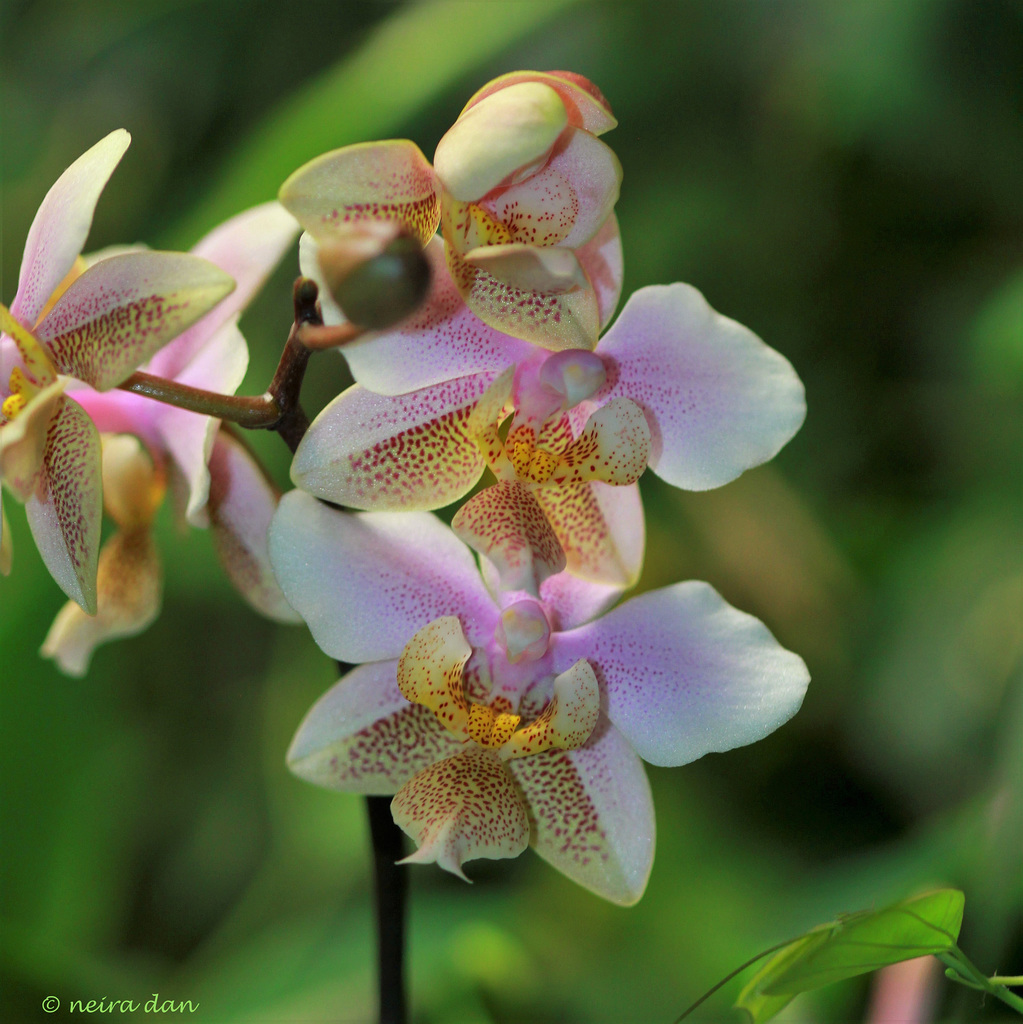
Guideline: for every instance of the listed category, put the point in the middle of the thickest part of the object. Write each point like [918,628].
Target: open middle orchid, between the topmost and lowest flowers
[673,386]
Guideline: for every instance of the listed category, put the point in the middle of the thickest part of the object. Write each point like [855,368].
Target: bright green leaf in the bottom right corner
[855,945]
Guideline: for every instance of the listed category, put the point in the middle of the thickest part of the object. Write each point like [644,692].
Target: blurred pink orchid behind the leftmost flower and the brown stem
[224,488]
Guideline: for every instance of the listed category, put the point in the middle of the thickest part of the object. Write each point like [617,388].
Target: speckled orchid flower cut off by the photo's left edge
[97,325]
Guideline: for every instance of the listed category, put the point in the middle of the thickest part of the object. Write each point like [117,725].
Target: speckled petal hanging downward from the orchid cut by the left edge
[66,511]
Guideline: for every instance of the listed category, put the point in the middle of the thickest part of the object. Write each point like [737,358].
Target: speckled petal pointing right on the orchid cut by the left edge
[121,311]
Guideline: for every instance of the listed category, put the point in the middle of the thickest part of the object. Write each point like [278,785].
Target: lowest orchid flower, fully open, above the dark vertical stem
[500,721]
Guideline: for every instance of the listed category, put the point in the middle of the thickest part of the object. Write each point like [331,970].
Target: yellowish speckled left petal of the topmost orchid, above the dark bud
[391,181]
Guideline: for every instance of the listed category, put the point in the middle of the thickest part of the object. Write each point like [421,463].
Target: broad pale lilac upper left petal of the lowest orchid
[365,584]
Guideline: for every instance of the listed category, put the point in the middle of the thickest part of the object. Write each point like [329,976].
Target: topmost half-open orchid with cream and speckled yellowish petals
[524,193]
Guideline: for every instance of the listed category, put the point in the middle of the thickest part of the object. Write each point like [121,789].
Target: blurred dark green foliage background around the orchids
[845,179]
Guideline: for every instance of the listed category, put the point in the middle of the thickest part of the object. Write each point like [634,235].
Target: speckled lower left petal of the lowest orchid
[363,737]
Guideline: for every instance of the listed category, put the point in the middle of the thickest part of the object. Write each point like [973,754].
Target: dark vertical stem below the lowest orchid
[392,890]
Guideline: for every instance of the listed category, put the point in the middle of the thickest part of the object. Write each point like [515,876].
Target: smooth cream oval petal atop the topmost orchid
[502,135]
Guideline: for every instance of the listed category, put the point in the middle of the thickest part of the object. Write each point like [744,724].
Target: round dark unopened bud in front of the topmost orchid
[376,281]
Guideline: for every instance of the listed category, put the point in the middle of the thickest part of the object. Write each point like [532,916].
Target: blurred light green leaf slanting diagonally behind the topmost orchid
[404,65]
